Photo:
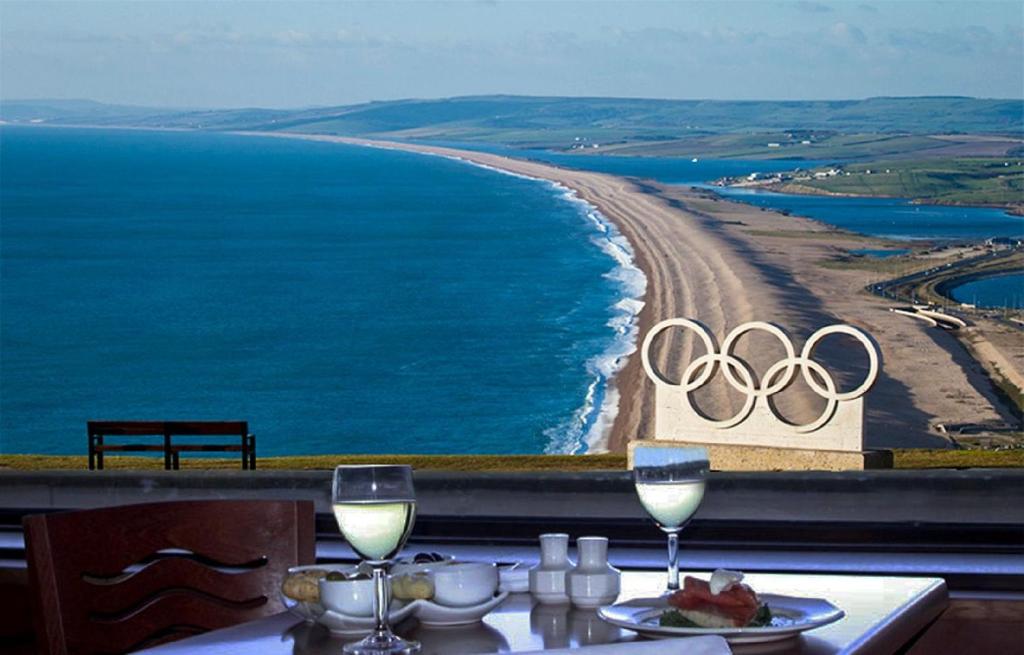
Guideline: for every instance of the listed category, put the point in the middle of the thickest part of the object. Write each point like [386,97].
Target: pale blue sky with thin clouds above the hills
[292,54]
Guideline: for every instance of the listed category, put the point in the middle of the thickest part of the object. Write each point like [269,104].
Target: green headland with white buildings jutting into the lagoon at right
[968,182]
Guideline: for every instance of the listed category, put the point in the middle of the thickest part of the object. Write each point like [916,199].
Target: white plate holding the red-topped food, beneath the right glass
[791,616]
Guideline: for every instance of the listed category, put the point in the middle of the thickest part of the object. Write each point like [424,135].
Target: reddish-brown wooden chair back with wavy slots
[118,580]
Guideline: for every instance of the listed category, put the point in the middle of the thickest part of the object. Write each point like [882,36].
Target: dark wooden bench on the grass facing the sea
[168,430]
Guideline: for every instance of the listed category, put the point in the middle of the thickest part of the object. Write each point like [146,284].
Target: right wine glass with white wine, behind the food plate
[670,483]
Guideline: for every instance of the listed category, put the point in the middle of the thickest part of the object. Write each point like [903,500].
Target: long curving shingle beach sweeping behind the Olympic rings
[727,264]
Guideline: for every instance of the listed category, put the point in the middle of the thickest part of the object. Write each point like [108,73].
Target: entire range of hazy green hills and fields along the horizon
[649,126]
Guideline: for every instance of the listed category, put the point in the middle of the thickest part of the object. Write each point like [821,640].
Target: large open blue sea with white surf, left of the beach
[340,299]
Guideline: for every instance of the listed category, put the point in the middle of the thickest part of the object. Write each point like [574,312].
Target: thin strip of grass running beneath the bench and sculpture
[904,459]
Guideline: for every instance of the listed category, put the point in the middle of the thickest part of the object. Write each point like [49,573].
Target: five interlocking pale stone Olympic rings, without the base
[778,378]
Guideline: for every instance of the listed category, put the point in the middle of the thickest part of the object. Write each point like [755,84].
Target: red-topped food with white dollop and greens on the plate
[722,602]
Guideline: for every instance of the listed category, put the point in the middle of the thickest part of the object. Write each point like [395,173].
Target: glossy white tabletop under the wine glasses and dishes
[882,616]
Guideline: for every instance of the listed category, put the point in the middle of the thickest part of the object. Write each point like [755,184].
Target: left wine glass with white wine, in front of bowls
[375,507]
